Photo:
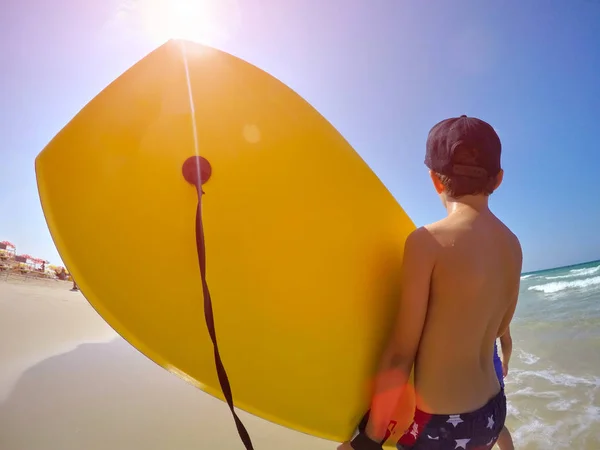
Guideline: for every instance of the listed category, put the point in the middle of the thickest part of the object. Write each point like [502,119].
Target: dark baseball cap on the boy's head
[464,146]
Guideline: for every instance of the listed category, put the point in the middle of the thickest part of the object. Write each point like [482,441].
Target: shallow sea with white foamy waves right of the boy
[553,384]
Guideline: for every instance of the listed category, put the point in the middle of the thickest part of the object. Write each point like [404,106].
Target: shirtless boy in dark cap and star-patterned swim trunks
[460,281]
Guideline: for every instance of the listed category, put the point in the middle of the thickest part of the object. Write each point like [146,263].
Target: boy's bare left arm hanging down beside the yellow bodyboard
[397,359]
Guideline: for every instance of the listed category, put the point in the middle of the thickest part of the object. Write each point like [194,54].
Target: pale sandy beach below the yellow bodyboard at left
[68,382]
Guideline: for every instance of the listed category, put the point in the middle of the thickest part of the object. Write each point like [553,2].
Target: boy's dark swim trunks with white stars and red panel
[476,430]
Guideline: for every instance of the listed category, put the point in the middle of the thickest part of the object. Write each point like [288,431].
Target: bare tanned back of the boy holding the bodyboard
[473,292]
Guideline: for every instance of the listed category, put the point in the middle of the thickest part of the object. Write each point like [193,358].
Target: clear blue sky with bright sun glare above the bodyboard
[383,72]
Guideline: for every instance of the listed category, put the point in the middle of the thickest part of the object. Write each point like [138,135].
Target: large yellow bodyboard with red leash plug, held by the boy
[303,241]
